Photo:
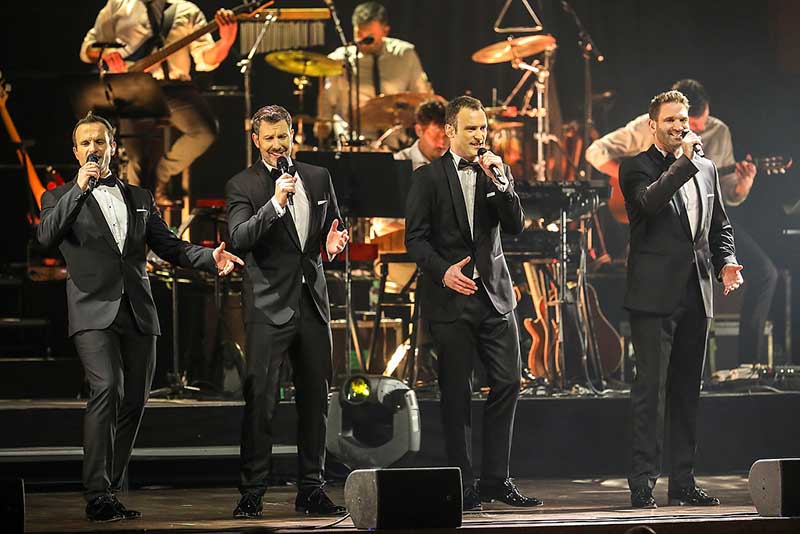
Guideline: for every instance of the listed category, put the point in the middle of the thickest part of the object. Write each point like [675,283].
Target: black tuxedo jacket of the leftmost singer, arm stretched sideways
[97,271]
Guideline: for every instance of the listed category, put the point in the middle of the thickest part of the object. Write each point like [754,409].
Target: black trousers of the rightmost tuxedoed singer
[669,364]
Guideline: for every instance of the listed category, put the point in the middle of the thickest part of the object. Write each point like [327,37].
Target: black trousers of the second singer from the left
[306,338]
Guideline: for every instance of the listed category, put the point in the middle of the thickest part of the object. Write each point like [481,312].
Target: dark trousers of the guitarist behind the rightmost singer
[761,277]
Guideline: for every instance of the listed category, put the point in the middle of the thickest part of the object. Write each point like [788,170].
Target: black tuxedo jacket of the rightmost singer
[662,250]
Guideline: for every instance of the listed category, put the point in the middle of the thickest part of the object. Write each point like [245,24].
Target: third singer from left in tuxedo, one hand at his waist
[456,209]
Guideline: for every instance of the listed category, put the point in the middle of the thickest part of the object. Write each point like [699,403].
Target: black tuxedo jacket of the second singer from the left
[275,264]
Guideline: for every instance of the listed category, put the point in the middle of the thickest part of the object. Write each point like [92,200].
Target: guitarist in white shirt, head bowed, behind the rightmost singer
[606,153]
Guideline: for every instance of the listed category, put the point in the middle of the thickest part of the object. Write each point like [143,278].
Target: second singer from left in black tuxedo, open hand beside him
[282,220]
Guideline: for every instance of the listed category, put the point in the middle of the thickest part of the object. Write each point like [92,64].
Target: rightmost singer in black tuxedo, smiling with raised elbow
[680,240]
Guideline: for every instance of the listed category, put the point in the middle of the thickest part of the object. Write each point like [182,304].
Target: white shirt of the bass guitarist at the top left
[126,21]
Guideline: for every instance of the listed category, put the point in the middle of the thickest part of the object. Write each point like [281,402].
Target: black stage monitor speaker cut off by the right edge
[775,487]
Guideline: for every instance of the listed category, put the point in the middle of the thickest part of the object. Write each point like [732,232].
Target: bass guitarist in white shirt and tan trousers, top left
[142,27]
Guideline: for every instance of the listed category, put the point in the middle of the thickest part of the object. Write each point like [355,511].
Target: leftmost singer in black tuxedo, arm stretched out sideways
[103,229]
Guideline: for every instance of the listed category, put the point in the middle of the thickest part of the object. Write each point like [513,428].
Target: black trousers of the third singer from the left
[479,331]
